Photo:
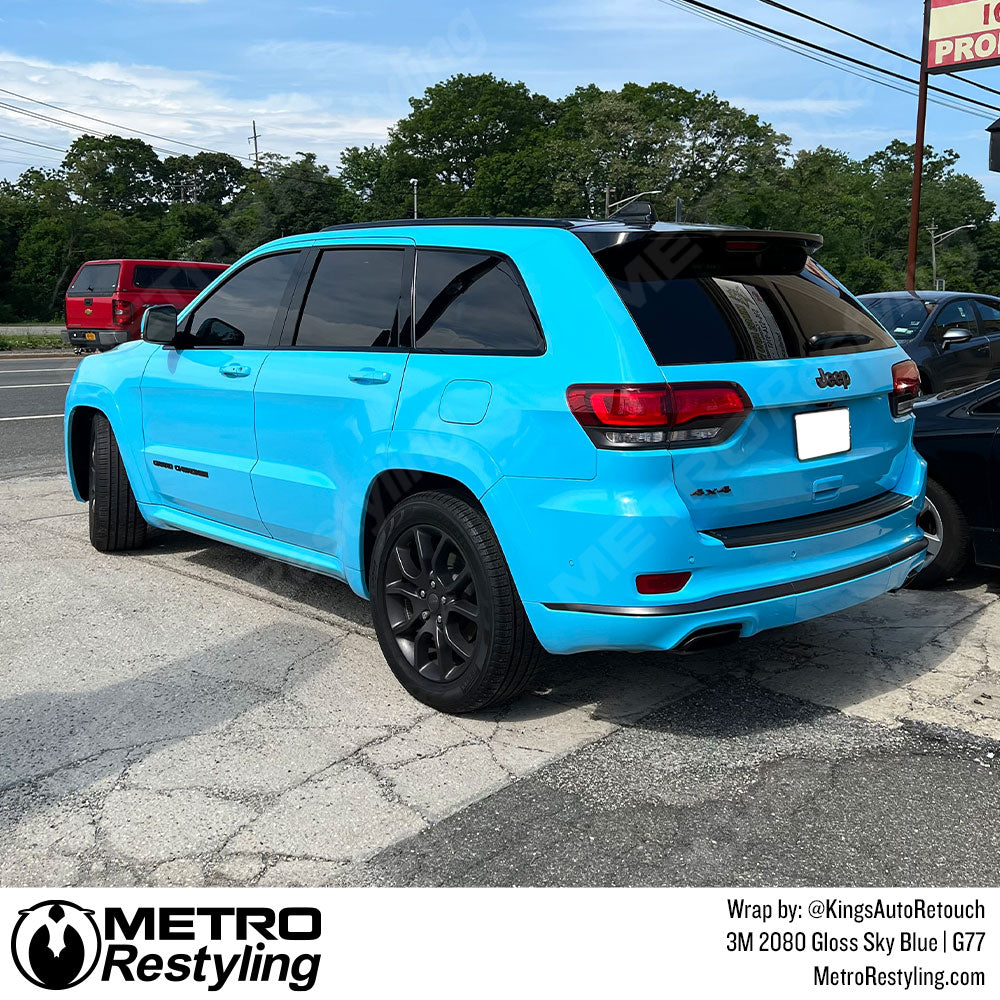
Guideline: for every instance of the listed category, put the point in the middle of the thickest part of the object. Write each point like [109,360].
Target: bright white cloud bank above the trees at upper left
[181,106]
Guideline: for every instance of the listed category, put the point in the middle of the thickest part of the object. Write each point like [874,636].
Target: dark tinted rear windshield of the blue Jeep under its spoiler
[709,310]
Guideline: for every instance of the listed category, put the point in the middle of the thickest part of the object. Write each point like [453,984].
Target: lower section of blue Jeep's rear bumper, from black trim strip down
[582,628]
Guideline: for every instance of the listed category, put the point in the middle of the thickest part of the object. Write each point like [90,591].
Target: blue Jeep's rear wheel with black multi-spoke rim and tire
[476,651]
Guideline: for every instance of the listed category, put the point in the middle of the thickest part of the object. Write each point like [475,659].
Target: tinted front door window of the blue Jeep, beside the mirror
[242,312]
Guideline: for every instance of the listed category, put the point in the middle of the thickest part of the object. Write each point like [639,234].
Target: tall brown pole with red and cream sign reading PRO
[958,34]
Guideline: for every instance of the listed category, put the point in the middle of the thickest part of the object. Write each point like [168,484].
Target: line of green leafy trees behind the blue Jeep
[479,145]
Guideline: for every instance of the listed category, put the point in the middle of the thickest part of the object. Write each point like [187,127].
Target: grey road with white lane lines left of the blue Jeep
[32,392]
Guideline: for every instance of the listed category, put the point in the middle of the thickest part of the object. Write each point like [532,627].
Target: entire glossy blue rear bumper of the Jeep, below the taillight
[576,548]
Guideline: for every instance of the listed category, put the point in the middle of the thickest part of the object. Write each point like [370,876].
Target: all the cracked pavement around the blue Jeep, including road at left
[193,714]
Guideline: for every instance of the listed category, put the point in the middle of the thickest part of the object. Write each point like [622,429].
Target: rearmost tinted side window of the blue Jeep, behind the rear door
[472,302]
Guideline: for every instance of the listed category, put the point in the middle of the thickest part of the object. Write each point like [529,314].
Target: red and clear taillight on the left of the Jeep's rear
[658,416]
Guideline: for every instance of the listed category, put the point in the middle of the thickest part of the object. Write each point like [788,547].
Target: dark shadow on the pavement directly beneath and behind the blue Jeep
[830,663]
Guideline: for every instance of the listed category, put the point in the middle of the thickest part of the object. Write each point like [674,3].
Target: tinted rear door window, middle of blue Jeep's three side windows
[353,299]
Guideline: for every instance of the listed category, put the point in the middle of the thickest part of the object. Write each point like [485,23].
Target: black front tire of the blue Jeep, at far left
[115,522]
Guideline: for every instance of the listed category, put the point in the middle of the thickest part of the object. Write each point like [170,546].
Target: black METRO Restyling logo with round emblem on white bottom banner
[57,944]
